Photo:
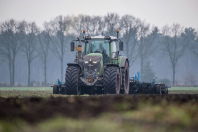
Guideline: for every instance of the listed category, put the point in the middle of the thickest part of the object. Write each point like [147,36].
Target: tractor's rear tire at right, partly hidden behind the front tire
[125,79]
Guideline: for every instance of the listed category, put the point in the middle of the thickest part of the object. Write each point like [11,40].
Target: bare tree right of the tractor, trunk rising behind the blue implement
[147,38]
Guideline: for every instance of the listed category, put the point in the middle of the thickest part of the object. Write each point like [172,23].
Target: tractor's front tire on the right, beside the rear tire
[111,80]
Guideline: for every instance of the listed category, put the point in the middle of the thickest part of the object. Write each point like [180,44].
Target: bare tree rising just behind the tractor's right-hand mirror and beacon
[129,28]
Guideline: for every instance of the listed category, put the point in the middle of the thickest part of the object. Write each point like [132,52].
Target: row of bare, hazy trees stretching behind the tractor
[141,40]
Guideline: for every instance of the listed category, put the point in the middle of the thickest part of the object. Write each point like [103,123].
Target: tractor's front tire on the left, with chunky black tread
[71,80]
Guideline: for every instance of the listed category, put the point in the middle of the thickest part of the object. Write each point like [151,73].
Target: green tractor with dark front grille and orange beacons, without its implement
[100,69]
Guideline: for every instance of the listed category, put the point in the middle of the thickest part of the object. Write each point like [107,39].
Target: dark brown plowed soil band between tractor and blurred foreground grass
[35,109]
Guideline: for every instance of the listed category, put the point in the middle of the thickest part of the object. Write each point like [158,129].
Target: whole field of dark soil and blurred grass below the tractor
[41,111]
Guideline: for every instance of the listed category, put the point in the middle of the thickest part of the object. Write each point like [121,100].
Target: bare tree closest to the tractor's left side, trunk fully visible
[60,27]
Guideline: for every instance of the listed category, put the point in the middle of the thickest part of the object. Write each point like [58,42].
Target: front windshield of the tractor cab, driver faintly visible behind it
[97,46]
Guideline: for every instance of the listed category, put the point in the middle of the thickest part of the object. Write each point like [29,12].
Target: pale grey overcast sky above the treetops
[155,12]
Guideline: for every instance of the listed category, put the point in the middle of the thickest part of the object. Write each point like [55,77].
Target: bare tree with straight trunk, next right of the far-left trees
[28,38]
